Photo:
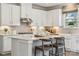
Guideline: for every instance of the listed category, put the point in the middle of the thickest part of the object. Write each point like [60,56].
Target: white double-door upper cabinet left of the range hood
[9,15]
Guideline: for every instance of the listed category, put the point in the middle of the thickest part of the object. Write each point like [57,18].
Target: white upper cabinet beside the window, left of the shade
[55,17]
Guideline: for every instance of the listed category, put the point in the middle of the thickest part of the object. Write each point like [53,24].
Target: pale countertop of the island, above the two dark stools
[32,37]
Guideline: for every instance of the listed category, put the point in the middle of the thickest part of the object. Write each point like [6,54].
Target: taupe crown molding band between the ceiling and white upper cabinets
[60,6]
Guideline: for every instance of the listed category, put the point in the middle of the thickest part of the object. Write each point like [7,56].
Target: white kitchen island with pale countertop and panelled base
[22,45]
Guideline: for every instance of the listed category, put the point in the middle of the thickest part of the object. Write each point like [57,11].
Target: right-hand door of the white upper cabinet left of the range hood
[15,15]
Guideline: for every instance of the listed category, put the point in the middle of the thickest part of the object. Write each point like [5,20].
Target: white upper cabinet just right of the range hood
[39,17]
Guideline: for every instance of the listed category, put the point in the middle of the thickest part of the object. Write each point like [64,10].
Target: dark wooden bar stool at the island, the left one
[44,47]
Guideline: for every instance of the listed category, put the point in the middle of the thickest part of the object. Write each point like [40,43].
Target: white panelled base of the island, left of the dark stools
[21,47]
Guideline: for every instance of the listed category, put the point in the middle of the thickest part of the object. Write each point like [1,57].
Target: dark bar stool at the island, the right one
[59,44]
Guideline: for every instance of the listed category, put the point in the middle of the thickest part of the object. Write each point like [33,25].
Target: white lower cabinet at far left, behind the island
[5,44]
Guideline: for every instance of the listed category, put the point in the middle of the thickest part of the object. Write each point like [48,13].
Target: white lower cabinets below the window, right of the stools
[72,43]
